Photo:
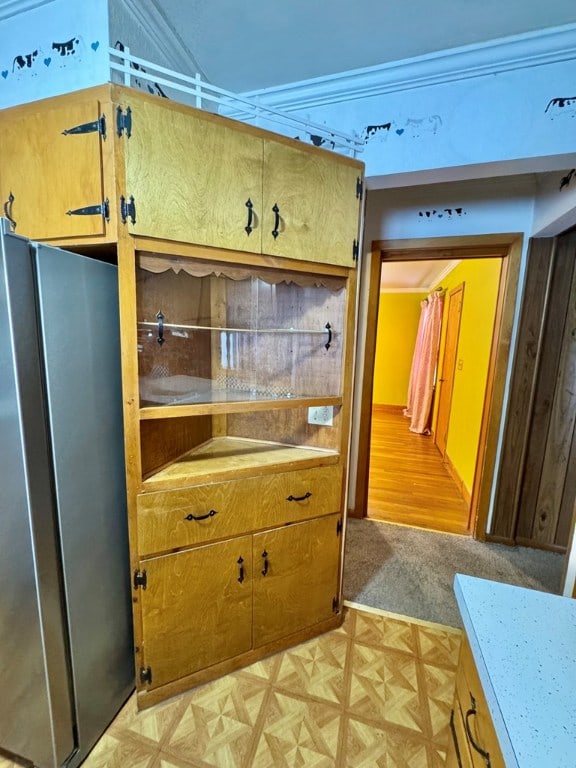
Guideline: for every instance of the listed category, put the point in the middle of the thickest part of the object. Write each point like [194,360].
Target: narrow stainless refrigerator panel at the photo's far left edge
[36,720]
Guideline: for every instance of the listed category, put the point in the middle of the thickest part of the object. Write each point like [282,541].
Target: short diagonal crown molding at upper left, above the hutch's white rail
[163,36]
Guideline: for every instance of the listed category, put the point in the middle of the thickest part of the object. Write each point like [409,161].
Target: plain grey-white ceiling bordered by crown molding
[246,45]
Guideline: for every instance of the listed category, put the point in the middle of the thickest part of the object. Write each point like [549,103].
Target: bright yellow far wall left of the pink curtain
[398,318]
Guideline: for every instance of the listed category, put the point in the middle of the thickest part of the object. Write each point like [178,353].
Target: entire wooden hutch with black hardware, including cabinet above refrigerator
[236,257]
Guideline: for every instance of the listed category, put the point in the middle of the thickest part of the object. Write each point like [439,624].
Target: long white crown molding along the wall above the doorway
[532,49]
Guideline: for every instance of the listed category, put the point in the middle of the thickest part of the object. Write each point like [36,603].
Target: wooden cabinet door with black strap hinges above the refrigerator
[51,182]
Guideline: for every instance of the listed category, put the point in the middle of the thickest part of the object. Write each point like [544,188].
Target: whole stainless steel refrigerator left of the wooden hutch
[66,655]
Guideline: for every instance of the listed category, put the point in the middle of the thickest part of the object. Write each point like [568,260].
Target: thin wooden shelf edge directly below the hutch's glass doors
[234,406]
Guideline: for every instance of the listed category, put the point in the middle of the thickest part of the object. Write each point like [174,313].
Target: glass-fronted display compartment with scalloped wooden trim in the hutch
[214,334]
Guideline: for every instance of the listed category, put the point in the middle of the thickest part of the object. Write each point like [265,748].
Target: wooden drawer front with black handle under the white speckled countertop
[476,719]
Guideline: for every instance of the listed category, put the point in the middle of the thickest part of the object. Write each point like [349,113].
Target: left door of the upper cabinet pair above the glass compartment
[193,178]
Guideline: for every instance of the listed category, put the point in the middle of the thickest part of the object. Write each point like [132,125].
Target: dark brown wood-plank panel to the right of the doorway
[537,478]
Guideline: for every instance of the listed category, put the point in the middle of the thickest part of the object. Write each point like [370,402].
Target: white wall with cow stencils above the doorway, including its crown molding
[486,110]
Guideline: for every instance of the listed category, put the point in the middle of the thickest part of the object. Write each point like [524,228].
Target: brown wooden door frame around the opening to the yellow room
[508,248]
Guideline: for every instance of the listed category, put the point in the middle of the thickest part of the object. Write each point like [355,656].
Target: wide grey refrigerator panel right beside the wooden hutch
[78,307]
